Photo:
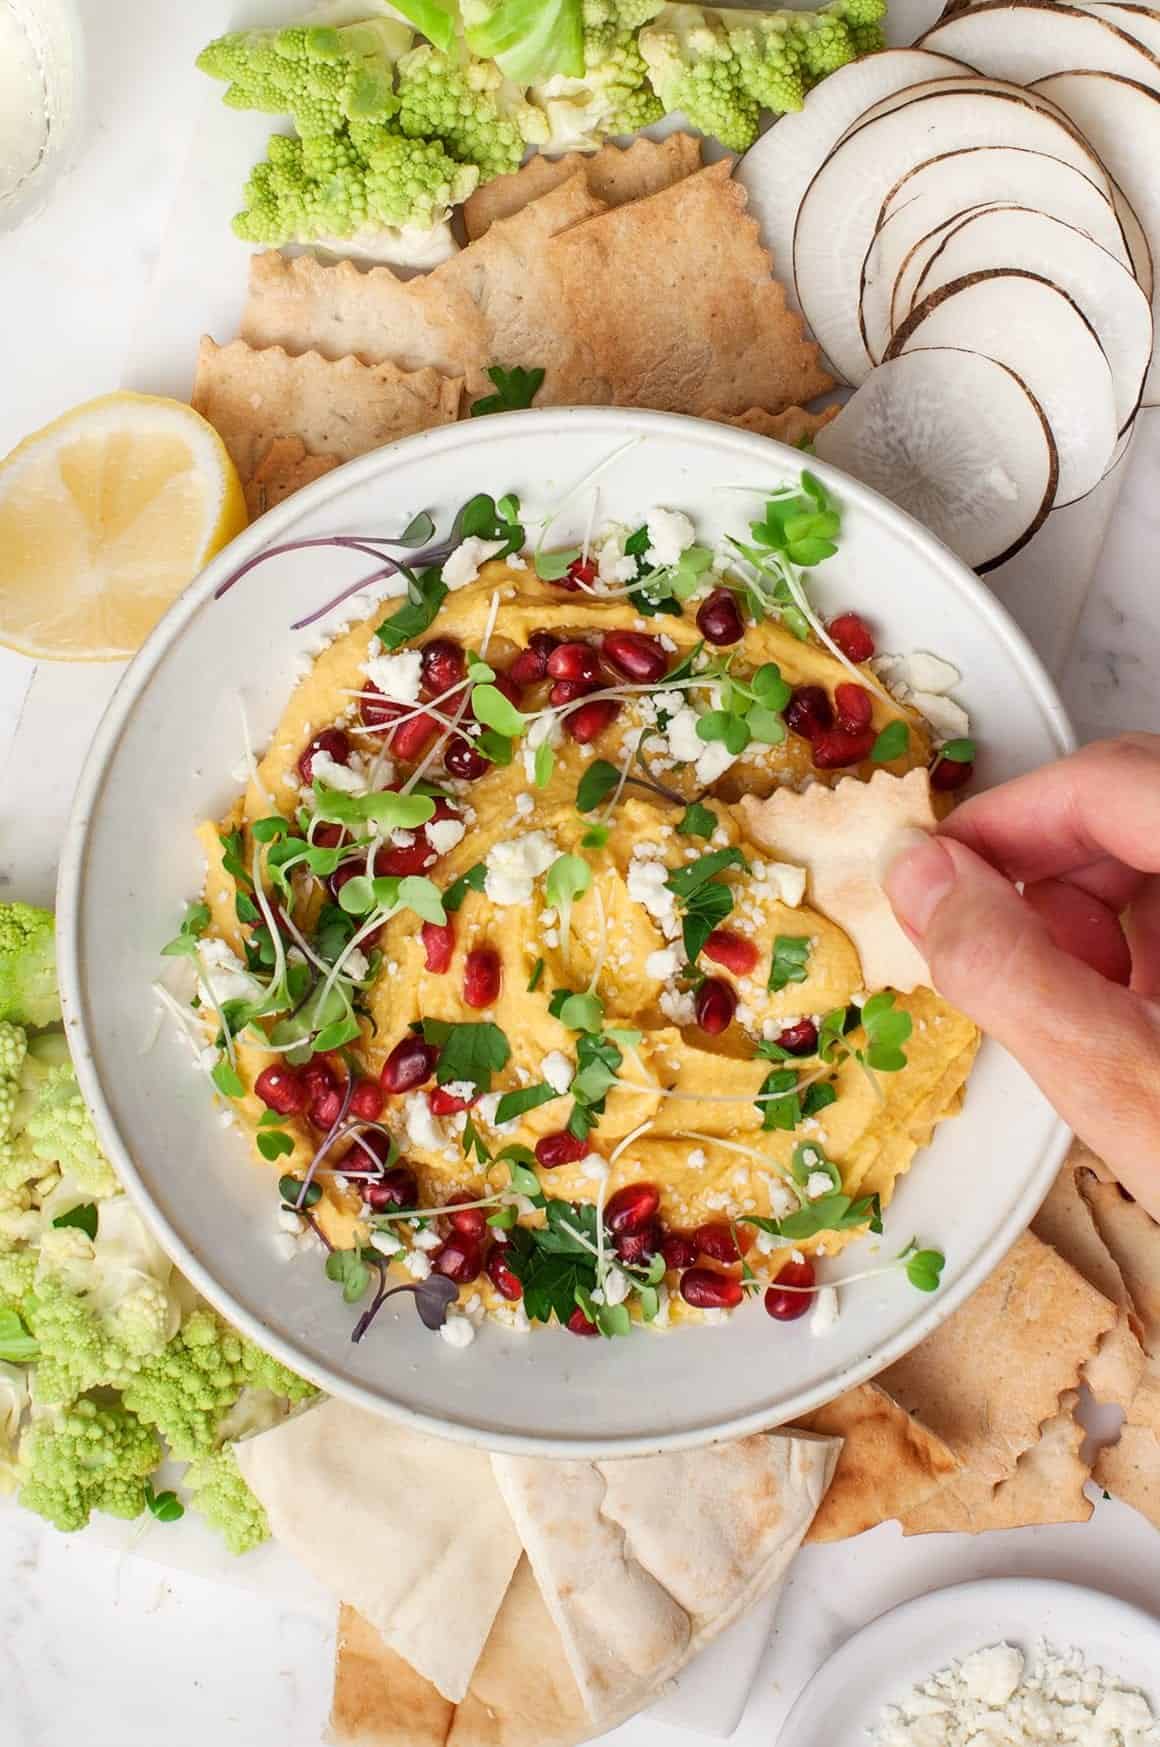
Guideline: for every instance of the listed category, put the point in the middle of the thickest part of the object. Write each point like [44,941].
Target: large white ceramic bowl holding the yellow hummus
[163,761]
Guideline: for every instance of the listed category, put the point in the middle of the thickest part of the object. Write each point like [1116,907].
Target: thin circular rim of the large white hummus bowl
[618,422]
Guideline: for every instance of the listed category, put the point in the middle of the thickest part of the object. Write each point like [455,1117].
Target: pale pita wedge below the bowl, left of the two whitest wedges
[432,1596]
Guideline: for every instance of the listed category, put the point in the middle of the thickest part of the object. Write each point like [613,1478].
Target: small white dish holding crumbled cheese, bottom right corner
[843,1704]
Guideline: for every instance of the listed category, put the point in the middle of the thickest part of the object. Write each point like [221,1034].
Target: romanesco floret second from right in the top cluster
[696,69]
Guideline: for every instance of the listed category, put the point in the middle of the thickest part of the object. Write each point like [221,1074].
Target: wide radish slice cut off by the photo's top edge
[1030,39]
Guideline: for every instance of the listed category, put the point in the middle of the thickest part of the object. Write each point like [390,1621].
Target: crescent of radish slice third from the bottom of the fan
[1101,287]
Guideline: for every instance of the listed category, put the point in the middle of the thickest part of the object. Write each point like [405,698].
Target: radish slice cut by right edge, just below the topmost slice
[1122,121]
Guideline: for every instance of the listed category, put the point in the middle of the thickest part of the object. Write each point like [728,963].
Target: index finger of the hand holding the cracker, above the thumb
[1103,801]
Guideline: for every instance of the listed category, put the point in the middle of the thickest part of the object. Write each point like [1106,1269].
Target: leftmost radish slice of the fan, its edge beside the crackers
[780,167]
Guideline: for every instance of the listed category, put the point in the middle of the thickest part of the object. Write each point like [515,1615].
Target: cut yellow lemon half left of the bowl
[106,516]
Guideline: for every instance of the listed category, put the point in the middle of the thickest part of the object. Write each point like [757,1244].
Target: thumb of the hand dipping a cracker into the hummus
[1091,1046]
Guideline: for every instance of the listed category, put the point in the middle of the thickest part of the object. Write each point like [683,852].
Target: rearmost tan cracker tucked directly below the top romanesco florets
[614,176]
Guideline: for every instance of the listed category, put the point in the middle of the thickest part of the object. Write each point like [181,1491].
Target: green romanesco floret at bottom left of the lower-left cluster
[86,1460]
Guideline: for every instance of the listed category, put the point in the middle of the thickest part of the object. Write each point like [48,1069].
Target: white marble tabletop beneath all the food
[104,1645]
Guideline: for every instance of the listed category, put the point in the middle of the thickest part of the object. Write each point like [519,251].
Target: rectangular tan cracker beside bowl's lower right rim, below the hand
[995,1372]
